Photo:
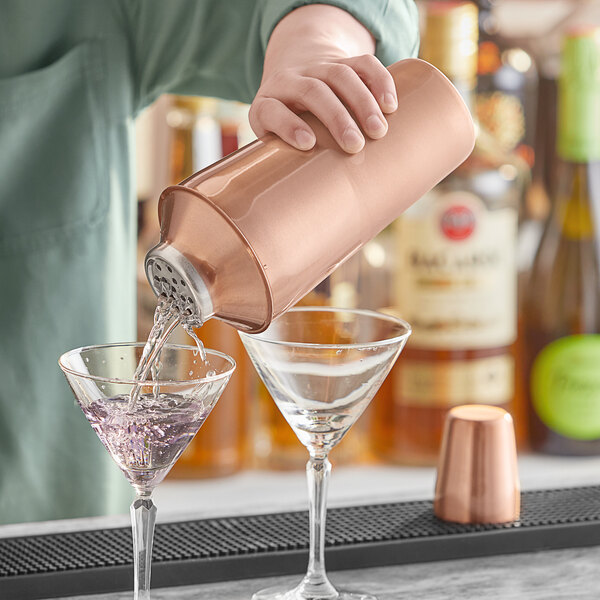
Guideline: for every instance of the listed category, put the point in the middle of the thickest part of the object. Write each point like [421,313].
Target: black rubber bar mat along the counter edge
[185,553]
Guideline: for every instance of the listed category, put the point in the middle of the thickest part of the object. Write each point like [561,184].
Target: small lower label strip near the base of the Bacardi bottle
[443,384]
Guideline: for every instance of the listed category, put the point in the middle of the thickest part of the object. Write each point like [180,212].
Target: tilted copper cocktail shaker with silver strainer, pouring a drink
[244,239]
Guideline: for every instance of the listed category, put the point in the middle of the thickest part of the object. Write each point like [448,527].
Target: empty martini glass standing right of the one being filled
[322,367]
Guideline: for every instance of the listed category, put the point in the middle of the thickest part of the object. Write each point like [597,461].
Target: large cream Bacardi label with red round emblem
[456,275]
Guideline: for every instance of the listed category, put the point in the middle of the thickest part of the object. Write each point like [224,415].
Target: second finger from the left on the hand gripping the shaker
[315,96]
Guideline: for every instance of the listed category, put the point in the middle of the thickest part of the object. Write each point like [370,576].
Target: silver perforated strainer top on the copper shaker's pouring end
[171,274]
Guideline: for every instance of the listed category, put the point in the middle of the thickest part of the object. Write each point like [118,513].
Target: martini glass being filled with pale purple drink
[147,437]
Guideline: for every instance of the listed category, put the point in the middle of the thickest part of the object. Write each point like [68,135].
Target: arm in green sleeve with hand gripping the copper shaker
[302,56]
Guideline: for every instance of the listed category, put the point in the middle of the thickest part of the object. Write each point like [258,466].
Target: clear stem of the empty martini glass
[315,584]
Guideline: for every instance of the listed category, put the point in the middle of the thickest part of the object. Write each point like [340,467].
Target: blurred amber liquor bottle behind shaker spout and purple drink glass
[223,447]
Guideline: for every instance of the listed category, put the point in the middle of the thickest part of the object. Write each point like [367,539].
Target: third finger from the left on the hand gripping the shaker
[352,90]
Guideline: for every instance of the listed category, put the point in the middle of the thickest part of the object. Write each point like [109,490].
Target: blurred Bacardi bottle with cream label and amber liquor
[455,277]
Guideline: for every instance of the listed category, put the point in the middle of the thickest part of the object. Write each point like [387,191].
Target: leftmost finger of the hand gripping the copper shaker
[271,115]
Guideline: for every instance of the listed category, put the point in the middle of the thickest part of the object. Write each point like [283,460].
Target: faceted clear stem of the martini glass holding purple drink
[143,517]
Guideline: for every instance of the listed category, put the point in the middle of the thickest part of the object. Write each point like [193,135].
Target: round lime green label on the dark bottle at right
[565,386]
